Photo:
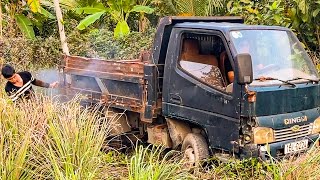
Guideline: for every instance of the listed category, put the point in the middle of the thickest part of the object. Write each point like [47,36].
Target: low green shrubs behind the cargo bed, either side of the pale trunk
[46,52]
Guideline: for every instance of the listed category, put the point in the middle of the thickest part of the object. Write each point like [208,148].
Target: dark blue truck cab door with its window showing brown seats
[197,88]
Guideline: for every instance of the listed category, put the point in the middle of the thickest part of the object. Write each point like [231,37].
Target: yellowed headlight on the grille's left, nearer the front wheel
[262,135]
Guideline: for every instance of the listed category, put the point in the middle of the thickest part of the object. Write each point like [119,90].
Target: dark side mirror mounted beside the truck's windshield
[243,71]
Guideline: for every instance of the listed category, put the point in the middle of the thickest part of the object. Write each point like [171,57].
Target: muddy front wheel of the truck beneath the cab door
[195,149]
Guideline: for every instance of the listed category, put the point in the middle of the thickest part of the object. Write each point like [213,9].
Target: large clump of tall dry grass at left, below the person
[51,140]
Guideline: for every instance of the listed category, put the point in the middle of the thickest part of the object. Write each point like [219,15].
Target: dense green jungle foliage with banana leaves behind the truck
[120,29]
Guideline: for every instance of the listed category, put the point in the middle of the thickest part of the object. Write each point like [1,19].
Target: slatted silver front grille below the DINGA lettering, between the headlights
[289,133]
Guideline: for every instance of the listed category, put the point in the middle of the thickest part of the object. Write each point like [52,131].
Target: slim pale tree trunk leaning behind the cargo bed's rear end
[63,40]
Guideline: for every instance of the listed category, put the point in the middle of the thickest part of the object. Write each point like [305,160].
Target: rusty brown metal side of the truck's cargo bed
[131,71]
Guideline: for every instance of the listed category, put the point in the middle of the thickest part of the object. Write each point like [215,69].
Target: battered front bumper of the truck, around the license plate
[275,150]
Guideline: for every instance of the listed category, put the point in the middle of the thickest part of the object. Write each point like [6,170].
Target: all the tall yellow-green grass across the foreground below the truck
[46,139]
